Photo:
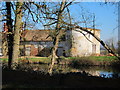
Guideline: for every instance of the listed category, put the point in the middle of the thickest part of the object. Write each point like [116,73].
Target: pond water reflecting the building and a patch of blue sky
[105,72]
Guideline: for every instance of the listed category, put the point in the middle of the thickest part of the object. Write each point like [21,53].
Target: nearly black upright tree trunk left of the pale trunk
[10,34]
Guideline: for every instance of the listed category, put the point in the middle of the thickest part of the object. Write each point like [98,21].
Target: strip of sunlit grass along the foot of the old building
[47,59]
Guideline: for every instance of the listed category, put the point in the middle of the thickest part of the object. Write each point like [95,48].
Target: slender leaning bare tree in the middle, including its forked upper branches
[58,31]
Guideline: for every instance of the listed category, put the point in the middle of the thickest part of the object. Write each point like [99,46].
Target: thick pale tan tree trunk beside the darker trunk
[18,20]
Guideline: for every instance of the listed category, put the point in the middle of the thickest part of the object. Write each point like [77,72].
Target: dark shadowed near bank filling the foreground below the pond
[33,79]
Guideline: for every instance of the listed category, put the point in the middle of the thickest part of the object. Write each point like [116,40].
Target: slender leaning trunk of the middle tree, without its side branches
[56,39]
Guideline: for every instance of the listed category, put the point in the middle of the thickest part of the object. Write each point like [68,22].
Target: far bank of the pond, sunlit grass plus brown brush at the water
[74,61]
